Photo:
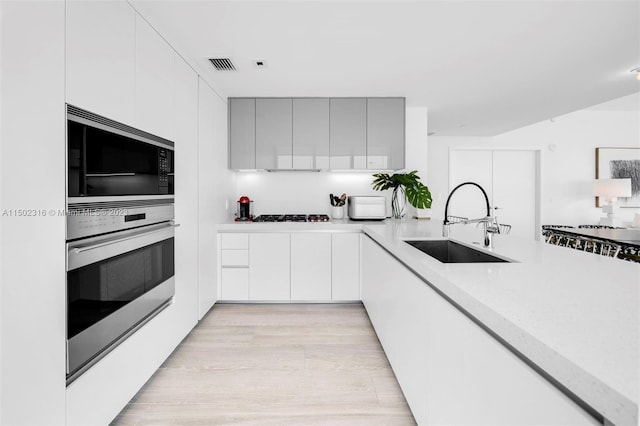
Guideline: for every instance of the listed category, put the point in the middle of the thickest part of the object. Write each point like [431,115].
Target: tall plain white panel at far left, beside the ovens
[33,180]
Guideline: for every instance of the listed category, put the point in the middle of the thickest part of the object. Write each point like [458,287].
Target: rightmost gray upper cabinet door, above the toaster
[385,133]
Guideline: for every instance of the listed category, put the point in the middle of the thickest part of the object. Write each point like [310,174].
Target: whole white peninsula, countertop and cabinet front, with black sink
[471,343]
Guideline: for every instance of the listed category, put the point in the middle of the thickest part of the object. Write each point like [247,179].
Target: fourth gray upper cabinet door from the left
[348,133]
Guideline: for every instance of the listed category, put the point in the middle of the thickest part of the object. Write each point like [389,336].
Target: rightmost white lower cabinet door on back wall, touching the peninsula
[345,266]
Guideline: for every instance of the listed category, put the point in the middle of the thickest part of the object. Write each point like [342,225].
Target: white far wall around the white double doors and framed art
[567,145]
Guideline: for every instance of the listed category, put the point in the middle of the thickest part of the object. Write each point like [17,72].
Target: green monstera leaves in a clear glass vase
[406,187]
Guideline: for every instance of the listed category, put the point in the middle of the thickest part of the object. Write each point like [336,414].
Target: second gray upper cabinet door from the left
[274,133]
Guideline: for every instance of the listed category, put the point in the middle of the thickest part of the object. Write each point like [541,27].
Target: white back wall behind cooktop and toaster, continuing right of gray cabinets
[308,192]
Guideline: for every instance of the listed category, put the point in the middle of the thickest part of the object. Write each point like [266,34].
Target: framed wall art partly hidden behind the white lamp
[618,163]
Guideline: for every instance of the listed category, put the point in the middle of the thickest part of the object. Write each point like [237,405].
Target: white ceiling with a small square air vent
[480,67]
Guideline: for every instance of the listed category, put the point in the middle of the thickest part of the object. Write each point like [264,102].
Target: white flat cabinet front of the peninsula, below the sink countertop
[452,372]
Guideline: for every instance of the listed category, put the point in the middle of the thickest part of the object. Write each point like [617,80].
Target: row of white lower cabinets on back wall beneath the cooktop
[296,266]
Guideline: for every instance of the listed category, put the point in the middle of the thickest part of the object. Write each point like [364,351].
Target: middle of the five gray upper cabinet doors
[310,133]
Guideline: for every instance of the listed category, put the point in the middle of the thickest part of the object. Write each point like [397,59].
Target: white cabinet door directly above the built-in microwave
[100,58]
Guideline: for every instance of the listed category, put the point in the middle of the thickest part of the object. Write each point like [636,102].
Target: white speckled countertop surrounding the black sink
[574,314]
